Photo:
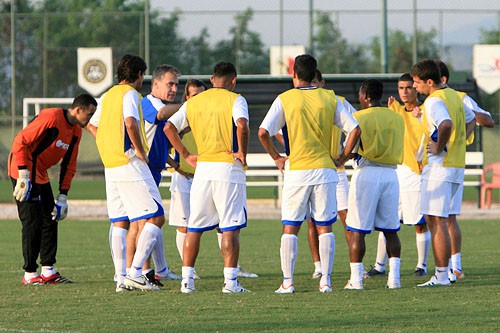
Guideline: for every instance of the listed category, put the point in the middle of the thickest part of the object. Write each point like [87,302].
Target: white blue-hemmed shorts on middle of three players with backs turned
[319,200]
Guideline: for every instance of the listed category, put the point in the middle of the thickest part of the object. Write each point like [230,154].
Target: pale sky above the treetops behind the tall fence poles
[359,20]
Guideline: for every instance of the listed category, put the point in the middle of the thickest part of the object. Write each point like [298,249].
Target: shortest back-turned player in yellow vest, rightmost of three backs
[374,192]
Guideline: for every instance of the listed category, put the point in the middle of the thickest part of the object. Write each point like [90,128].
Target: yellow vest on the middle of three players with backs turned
[309,115]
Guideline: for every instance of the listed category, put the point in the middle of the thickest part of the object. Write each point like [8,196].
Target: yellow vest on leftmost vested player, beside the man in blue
[110,138]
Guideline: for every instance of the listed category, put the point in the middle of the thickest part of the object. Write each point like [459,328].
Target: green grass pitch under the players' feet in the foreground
[91,304]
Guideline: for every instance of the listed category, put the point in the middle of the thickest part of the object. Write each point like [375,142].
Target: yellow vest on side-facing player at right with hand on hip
[455,155]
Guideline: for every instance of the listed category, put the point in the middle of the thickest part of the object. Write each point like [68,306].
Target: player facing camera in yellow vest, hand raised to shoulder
[409,180]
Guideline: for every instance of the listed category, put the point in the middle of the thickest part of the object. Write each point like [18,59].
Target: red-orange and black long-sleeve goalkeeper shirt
[48,139]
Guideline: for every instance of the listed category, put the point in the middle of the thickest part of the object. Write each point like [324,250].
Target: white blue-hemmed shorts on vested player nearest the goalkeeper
[133,200]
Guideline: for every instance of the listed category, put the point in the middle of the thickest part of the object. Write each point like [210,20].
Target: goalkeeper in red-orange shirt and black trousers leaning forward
[51,137]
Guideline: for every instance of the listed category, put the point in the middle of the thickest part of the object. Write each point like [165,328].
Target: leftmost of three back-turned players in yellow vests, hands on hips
[218,119]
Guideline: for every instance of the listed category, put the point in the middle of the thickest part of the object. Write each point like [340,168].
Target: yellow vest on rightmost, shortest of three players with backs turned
[382,135]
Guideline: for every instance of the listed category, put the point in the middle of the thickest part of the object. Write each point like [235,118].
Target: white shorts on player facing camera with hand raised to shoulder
[409,196]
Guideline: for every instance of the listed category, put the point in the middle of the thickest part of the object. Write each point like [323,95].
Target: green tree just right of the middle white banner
[333,52]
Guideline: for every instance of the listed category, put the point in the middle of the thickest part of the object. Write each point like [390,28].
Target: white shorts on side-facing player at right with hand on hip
[440,197]
